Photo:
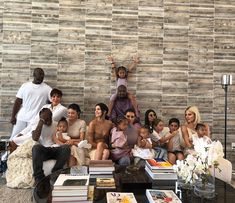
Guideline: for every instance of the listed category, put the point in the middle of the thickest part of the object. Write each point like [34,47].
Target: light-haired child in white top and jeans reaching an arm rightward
[160,137]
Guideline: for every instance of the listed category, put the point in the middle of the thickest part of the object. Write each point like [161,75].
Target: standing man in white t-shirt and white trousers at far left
[29,100]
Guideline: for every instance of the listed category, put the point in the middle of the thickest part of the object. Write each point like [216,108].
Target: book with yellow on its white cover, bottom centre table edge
[120,197]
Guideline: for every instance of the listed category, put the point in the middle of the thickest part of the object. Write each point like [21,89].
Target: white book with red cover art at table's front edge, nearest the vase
[161,196]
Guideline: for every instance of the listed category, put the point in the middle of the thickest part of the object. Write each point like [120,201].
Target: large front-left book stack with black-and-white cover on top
[72,188]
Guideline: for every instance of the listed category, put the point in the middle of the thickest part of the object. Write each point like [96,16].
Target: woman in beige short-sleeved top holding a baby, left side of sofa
[76,132]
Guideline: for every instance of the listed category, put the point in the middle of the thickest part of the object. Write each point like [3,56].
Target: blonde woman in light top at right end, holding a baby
[192,118]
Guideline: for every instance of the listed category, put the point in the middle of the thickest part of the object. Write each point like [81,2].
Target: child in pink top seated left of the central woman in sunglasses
[120,151]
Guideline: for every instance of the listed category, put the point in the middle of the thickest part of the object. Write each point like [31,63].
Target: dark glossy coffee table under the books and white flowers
[136,181]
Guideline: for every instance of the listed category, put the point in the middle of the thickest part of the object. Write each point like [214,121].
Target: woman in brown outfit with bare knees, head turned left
[99,132]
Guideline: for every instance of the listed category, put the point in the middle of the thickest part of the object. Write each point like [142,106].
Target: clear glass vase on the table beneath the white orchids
[205,186]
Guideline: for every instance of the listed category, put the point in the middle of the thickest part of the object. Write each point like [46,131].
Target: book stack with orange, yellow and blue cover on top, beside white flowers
[160,169]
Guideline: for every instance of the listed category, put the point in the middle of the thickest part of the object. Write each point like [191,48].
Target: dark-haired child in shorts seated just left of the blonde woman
[173,146]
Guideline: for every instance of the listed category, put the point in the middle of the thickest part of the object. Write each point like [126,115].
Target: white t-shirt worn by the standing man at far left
[33,96]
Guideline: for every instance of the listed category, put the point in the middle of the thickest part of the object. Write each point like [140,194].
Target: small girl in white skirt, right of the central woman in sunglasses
[143,150]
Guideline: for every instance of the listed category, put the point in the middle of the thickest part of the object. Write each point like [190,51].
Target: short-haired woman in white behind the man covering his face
[58,111]
